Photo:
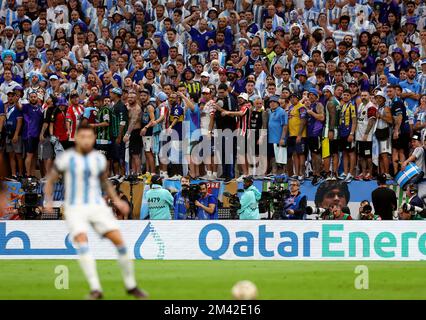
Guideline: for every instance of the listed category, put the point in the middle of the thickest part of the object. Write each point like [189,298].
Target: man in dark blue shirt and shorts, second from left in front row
[33,117]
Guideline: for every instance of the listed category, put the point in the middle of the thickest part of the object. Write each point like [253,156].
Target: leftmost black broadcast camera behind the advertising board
[28,206]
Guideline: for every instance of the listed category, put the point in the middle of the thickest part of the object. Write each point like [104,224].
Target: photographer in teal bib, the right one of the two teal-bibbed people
[249,201]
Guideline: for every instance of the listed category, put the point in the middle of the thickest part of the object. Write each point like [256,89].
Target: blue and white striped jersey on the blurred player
[82,176]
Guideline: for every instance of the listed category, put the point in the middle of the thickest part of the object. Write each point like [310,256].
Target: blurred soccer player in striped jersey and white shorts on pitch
[84,171]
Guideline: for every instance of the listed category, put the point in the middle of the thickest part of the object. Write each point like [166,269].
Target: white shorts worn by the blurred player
[100,217]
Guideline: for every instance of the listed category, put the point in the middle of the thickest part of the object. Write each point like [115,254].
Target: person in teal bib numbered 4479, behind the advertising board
[159,200]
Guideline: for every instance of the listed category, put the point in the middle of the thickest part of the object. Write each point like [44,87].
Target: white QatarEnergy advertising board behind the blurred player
[227,240]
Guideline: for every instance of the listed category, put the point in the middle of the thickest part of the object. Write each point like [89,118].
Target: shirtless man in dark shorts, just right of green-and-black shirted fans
[133,132]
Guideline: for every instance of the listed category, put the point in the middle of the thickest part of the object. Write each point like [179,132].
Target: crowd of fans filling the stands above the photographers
[329,89]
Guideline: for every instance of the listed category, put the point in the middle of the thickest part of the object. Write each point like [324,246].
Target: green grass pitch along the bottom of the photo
[35,279]
